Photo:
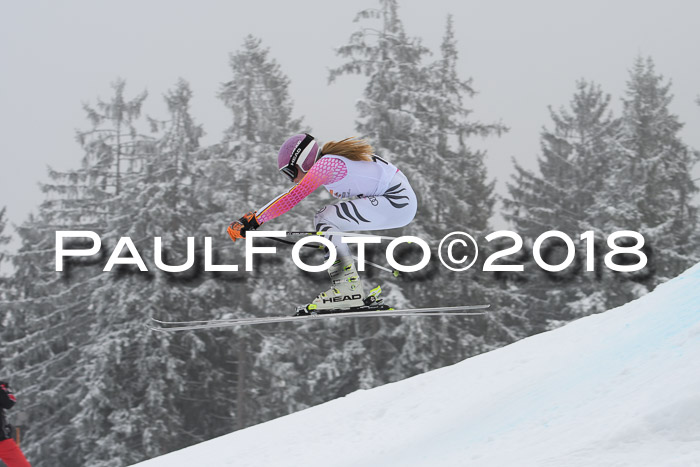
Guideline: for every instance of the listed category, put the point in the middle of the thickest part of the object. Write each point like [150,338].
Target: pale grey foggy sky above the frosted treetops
[523,56]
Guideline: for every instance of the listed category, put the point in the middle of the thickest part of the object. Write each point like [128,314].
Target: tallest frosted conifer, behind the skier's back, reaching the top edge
[392,61]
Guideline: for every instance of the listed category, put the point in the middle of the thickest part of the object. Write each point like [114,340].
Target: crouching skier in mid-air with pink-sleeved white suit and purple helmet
[377,196]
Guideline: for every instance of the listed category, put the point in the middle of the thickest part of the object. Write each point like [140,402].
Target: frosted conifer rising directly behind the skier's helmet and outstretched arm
[258,96]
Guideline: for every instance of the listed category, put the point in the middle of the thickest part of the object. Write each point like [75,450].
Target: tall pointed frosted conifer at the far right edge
[653,187]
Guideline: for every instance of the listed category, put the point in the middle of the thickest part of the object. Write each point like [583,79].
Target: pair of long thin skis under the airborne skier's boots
[171,326]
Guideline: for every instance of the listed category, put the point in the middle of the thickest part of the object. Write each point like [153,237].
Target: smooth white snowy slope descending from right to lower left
[617,389]
